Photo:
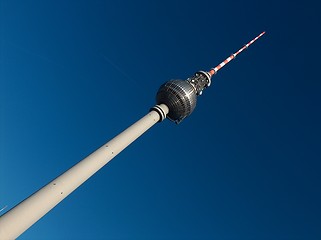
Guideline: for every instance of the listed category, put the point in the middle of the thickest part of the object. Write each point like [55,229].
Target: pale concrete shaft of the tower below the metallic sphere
[29,211]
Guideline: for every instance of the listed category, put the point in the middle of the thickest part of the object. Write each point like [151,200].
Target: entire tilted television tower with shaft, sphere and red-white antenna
[176,100]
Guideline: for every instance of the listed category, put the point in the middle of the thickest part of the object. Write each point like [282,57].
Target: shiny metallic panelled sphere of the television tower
[180,98]
